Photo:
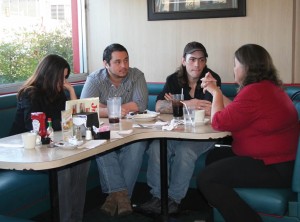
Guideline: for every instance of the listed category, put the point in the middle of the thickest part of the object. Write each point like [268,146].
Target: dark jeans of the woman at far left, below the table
[72,190]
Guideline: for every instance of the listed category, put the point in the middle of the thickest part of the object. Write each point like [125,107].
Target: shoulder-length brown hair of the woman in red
[258,65]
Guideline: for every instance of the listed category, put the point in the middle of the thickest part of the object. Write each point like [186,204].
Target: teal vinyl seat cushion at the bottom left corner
[23,193]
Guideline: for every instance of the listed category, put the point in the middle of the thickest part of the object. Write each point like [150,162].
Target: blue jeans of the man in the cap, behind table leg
[182,155]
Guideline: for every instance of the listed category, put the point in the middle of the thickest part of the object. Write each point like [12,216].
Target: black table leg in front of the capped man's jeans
[164,179]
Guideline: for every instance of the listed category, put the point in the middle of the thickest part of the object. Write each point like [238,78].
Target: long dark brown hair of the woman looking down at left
[48,78]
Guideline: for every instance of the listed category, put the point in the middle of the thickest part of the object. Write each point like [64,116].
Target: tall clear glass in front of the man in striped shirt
[114,109]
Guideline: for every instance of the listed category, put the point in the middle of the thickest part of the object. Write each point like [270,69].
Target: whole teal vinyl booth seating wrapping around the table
[25,194]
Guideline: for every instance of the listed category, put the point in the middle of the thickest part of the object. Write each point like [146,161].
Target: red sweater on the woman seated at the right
[263,122]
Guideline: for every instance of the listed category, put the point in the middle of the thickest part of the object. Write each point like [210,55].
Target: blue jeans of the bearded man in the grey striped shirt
[118,169]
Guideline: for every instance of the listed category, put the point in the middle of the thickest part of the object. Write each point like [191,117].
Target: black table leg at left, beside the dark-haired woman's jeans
[54,201]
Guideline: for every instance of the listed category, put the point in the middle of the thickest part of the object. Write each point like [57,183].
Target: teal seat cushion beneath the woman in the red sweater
[268,201]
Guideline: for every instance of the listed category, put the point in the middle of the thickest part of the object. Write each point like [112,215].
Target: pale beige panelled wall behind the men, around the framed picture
[156,46]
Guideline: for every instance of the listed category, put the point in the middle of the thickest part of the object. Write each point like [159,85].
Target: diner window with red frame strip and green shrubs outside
[31,29]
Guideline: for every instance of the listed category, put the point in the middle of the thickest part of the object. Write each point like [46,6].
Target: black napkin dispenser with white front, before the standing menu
[85,119]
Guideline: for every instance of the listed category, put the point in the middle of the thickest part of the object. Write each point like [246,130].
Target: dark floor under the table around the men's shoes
[193,208]
